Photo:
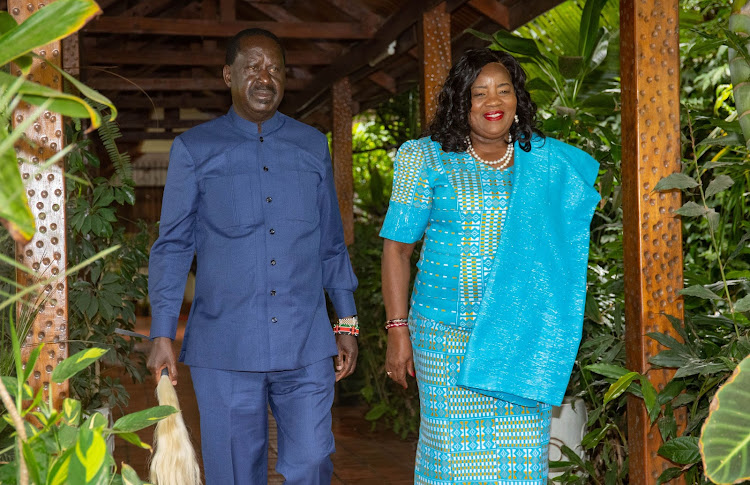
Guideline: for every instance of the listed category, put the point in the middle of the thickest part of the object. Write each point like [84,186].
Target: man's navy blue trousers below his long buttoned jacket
[234,423]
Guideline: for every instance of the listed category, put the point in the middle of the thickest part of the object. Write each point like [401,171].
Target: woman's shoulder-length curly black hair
[450,126]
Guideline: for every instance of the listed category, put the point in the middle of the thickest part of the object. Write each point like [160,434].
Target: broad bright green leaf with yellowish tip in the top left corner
[53,22]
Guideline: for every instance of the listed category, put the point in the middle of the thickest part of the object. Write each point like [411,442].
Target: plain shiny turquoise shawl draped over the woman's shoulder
[526,336]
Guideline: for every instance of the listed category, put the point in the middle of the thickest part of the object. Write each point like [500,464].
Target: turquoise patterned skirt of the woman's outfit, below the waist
[465,437]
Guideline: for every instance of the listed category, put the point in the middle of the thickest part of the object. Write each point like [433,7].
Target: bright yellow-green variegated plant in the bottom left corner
[64,446]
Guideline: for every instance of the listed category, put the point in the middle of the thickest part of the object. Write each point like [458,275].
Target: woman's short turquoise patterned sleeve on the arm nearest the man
[411,198]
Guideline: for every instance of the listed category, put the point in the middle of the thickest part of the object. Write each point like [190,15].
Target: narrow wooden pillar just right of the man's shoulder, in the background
[342,154]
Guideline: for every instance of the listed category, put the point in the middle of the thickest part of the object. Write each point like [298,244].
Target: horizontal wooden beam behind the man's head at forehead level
[164,57]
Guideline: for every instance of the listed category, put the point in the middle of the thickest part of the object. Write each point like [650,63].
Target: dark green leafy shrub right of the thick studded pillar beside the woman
[714,337]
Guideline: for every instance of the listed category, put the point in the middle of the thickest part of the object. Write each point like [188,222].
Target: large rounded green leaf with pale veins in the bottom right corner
[725,438]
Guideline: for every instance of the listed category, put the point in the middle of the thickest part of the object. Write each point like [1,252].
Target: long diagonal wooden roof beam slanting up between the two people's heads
[361,54]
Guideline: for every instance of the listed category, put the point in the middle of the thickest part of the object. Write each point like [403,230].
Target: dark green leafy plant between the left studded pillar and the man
[103,295]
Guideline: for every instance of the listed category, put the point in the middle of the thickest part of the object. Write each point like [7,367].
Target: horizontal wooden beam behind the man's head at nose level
[172,84]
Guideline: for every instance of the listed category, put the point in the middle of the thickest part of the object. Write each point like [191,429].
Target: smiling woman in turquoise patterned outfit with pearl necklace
[493,323]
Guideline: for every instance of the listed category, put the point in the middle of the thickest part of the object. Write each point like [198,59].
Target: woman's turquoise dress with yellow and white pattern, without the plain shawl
[459,206]
